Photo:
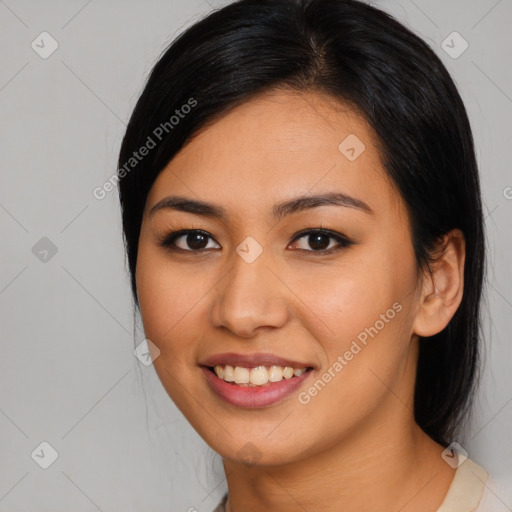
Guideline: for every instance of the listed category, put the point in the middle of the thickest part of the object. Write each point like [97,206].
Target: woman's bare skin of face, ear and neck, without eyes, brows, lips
[358,446]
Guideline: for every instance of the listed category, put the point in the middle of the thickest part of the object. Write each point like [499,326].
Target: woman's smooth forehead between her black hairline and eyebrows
[279,145]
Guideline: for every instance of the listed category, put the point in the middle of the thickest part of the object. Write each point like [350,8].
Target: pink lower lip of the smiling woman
[253,396]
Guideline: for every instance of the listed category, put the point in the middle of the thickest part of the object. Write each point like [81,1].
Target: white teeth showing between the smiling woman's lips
[258,376]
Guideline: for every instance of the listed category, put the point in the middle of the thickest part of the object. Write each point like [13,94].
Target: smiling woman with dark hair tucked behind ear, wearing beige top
[303,223]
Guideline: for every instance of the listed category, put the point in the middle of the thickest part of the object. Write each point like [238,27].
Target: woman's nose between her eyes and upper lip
[250,298]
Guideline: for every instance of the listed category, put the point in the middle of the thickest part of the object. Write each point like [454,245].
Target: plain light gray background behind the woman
[68,374]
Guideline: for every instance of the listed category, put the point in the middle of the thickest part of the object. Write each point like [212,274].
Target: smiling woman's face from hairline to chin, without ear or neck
[341,303]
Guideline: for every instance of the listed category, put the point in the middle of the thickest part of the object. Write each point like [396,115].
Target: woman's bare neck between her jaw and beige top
[406,472]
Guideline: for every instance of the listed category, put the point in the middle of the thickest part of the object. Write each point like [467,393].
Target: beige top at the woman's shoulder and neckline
[463,495]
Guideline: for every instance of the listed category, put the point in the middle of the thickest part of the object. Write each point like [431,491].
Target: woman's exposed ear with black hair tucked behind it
[442,288]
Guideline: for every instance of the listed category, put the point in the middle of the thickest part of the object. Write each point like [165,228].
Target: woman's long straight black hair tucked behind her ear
[367,59]
